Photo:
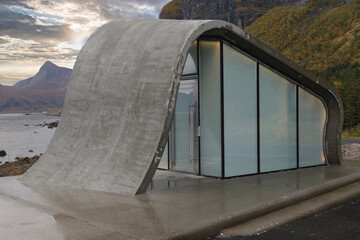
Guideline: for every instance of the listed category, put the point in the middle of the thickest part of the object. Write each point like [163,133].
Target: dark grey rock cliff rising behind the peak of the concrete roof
[239,12]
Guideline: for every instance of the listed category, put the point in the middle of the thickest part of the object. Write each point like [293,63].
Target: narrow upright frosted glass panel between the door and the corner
[210,114]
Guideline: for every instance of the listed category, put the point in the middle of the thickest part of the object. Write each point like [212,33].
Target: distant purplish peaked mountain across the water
[46,90]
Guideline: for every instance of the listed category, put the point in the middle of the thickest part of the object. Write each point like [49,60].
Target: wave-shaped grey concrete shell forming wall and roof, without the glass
[121,97]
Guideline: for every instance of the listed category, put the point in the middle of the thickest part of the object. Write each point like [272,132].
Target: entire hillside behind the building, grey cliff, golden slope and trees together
[322,36]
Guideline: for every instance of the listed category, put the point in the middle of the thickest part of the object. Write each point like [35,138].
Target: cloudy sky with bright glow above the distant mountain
[35,31]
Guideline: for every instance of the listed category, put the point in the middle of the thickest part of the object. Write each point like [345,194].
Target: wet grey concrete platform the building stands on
[176,206]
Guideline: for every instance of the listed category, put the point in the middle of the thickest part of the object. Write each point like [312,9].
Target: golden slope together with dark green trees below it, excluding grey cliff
[323,37]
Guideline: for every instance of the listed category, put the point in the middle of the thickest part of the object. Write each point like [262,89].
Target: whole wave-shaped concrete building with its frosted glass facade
[214,100]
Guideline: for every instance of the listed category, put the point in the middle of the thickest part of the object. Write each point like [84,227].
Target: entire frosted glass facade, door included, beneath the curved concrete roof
[251,119]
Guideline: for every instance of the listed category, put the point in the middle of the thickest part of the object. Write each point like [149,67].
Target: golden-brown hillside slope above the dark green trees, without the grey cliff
[317,36]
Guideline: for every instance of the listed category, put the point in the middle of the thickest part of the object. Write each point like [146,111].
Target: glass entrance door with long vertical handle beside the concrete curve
[185,137]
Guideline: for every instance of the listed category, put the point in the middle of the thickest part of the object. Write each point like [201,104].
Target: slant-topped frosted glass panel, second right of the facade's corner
[277,122]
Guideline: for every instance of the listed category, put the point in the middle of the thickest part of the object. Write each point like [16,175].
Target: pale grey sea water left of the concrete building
[20,137]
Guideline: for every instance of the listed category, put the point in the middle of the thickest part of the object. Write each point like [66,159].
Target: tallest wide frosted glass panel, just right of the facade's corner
[240,115]
